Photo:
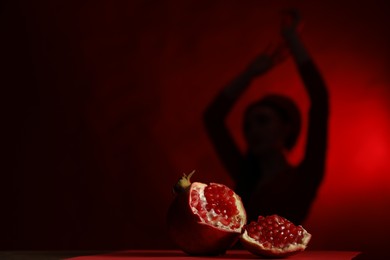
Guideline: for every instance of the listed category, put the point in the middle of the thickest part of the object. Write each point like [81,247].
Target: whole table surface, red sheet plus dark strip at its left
[161,255]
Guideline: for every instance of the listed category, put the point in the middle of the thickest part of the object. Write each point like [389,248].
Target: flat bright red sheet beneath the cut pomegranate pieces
[233,254]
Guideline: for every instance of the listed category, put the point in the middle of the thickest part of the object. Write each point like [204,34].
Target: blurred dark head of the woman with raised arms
[272,123]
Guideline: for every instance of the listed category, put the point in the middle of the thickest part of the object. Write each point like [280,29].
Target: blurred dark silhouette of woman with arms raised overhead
[264,179]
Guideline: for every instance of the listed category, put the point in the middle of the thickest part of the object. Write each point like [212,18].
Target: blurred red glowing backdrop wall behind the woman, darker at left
[102,104]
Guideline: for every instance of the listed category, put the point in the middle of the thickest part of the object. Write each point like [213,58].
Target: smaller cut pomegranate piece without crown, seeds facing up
[274,236]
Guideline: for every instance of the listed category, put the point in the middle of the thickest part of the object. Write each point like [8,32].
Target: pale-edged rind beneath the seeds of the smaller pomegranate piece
[257,248]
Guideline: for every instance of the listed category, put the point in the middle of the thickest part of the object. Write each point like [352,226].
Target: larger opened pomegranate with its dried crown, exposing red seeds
[205,219]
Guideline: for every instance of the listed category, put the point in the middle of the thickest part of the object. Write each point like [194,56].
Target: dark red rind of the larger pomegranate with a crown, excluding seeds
[195,237]
